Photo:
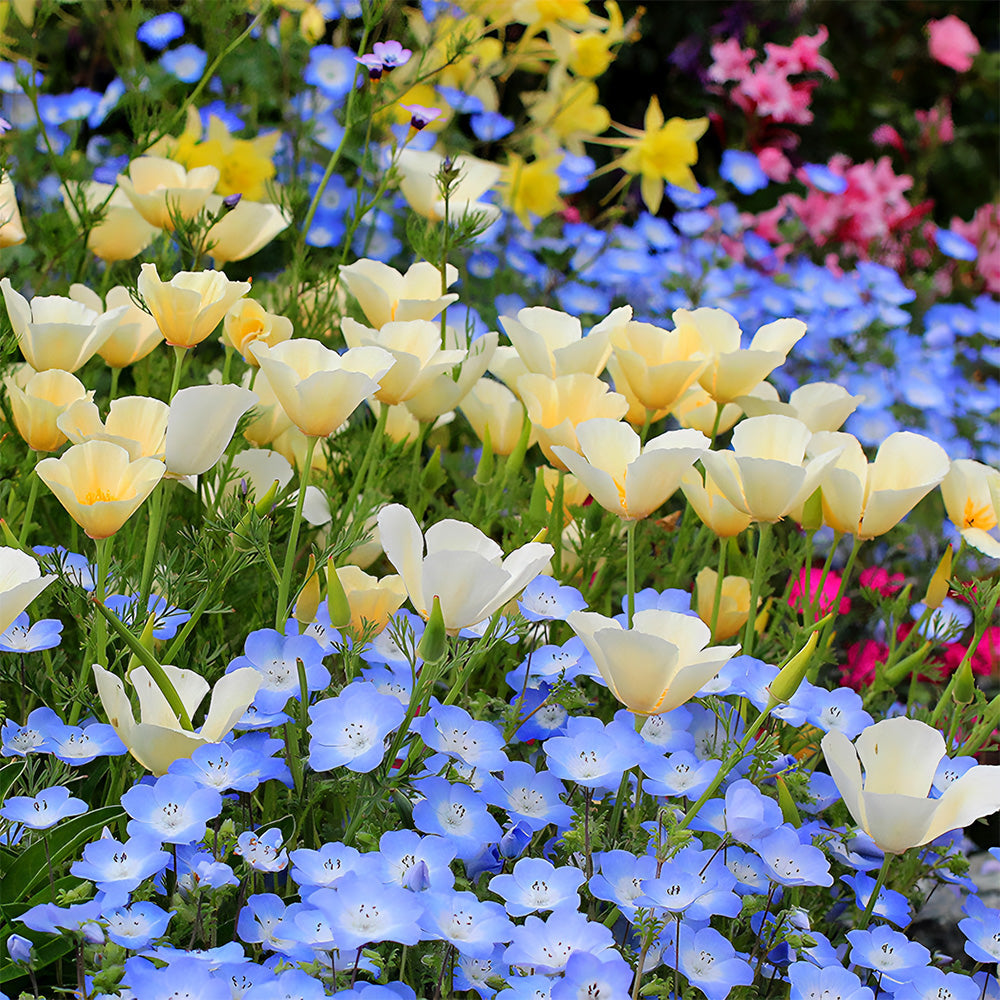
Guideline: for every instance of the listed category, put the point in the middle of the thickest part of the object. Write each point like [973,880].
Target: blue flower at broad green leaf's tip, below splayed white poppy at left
[174,808]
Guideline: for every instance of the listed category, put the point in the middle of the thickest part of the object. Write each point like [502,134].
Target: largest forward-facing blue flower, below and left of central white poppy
[350,730]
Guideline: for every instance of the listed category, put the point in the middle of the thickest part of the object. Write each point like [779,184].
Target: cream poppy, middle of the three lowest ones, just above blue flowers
[657,664]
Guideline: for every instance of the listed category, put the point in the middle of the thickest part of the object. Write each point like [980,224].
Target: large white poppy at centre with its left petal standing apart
[456,562]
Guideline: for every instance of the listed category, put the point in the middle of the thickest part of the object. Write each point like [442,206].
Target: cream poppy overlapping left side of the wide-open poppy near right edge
[765,475]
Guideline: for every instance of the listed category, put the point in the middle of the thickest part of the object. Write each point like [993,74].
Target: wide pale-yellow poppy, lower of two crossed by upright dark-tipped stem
[386,295]
